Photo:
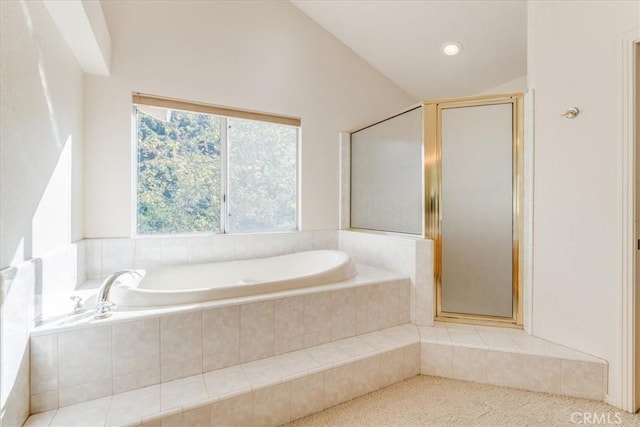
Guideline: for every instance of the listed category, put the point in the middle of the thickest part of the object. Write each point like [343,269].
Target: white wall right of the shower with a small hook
[575,60]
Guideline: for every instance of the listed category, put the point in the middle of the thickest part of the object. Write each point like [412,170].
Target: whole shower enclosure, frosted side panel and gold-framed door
[451,171]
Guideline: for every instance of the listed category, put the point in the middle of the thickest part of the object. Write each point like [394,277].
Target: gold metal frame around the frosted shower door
[433,199]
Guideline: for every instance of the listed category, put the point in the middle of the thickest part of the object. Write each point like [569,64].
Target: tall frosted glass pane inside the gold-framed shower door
[477,210]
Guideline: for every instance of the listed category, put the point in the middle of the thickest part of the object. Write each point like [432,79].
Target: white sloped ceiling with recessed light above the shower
[402,40]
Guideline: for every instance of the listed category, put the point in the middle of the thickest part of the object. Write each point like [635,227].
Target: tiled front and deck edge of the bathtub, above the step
[77,358]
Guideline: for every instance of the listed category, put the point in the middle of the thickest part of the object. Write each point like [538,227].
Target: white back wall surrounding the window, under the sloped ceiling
[265,56]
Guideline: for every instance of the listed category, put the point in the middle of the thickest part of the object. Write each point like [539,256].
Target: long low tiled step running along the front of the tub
[271,391]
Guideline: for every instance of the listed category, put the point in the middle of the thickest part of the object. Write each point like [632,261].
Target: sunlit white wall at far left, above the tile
[41,134]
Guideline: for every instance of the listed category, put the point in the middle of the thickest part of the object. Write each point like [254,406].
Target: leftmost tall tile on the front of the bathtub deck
[44,363]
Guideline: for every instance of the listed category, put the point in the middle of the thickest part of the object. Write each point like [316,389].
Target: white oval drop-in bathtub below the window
[195,283]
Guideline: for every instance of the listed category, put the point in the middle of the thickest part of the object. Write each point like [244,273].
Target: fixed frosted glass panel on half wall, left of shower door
[386,175]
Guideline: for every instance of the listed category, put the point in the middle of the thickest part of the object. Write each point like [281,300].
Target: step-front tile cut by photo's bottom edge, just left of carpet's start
[272,405]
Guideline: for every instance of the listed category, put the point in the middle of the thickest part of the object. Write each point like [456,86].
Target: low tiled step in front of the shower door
[511,358]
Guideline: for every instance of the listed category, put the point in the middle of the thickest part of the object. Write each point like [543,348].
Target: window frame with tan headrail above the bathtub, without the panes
[224,113]
